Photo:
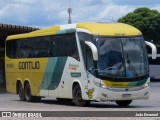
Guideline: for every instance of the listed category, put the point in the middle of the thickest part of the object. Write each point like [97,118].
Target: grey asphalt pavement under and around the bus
[11,102]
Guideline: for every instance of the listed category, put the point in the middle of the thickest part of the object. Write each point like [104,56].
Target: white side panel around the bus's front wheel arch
[73,72]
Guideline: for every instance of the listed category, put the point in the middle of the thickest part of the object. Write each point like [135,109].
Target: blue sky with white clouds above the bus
[44,13]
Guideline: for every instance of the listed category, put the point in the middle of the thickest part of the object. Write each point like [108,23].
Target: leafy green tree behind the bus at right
[146,20]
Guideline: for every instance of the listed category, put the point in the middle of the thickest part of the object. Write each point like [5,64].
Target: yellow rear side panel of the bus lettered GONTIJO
[27,70]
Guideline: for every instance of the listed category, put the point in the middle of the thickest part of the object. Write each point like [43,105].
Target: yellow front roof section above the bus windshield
[110,29]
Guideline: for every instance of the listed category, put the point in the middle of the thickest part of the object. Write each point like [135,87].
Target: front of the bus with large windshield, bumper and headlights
[120,71]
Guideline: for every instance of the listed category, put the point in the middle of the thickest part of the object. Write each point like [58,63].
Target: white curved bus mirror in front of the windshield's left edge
[93,49]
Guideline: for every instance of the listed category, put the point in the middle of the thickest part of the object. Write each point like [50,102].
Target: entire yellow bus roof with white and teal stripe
[104,29]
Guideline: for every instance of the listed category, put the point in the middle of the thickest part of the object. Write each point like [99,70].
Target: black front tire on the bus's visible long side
[77,97]
